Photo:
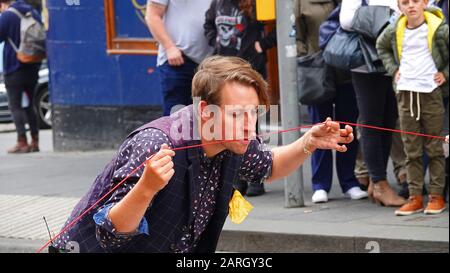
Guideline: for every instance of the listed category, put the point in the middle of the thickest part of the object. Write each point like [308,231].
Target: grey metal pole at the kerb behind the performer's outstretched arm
[287,53]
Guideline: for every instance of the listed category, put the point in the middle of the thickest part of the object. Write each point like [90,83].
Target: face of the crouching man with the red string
[237,117]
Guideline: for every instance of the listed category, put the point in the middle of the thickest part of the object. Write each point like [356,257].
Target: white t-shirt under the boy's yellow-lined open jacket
[417,68]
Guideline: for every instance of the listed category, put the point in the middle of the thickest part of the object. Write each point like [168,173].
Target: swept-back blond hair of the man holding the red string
[214,72]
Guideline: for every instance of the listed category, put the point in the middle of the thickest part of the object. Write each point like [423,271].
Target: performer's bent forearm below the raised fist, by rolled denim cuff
[127,213]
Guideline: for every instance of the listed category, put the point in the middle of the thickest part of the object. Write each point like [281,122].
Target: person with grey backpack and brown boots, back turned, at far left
[20,78]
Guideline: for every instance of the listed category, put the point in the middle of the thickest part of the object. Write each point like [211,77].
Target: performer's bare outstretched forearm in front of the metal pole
[286,159]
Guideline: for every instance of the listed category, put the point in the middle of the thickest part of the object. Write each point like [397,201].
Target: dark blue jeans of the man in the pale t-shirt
[176,84]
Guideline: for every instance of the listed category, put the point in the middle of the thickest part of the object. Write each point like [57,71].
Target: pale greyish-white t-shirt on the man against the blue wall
[184,21]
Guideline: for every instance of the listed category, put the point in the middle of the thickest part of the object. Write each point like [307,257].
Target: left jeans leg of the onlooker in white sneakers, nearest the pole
[321,160]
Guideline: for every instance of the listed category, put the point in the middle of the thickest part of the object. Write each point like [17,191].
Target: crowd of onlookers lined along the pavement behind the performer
[410,93]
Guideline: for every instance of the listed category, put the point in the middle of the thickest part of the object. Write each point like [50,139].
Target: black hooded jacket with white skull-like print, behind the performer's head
[231,33]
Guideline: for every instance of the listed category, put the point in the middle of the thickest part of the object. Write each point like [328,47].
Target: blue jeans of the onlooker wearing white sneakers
[322,160]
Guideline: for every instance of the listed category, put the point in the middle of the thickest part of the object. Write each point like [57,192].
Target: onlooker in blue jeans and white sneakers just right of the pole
[309,16]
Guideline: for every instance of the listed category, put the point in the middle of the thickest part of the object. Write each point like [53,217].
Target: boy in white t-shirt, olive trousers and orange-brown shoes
[414,50]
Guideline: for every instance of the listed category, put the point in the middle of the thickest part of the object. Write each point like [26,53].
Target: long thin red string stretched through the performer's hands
[219,142]
